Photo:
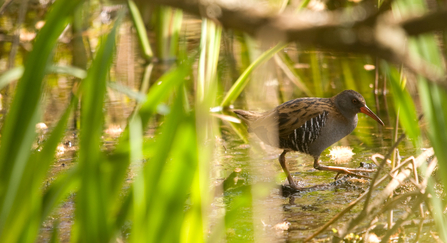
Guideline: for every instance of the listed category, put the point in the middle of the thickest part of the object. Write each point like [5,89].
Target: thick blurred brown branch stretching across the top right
[362,29]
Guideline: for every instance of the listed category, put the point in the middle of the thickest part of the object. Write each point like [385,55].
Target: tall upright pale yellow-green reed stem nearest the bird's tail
[195,221]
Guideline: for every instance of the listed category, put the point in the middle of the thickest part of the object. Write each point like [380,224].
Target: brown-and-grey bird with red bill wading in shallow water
[309,125]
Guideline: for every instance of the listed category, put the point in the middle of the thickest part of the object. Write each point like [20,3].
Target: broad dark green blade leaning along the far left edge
[18,131]
